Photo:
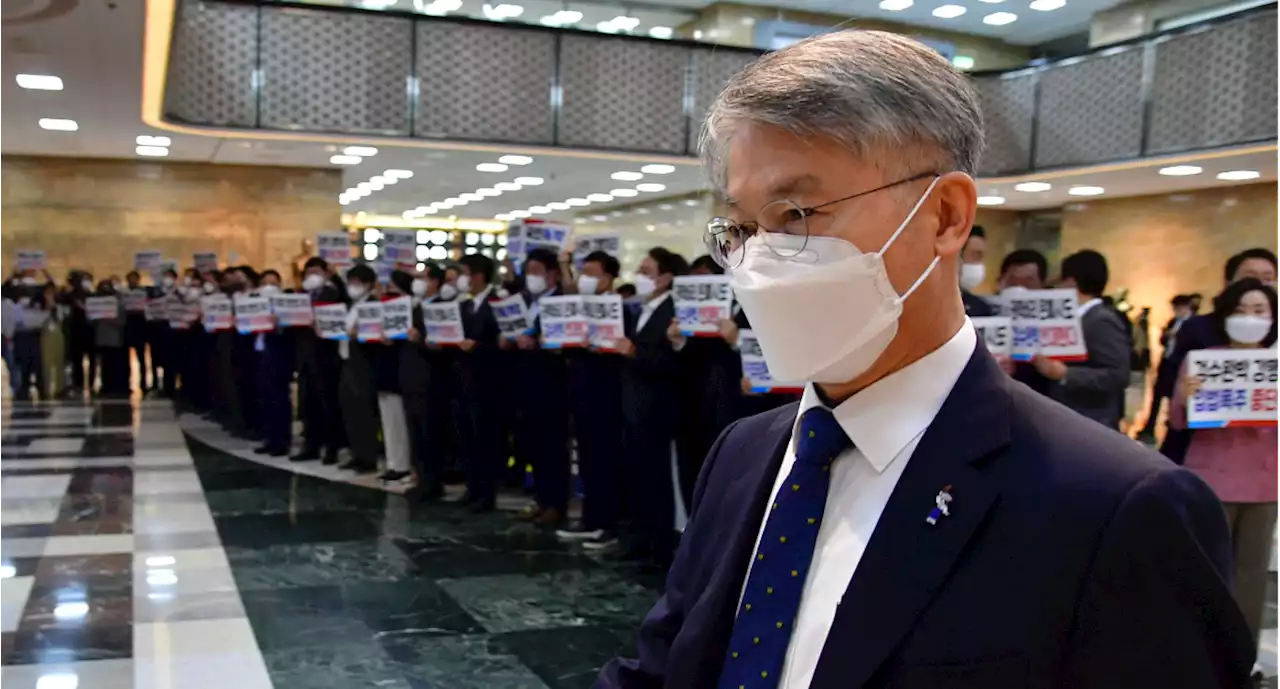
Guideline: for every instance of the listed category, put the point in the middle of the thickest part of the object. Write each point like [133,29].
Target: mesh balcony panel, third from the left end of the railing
[484,83]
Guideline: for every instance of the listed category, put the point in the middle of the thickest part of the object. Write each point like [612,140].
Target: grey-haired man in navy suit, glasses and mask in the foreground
[918,519]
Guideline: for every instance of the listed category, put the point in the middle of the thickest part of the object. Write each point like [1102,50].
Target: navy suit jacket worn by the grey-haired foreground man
[1073,558]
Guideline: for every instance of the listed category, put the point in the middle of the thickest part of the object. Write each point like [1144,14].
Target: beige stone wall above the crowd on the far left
[95,215]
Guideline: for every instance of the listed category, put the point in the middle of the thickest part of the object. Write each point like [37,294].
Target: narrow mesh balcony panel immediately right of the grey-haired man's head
[1008,113]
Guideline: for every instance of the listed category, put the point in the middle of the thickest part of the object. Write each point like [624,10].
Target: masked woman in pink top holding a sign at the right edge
[1240,463]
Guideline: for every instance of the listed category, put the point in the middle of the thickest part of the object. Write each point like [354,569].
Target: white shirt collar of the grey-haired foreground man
[884,418]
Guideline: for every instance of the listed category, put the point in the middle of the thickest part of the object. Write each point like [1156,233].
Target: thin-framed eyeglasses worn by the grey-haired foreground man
[726,239]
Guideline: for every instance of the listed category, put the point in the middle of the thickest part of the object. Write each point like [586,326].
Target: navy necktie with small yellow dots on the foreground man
[771,600]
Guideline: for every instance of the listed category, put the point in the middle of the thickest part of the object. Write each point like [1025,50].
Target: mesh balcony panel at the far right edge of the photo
[1215,88]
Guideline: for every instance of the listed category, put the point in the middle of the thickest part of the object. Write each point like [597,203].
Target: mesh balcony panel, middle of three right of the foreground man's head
[1091,111]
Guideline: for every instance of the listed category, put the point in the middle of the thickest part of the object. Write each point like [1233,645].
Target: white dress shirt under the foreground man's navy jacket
[885,423]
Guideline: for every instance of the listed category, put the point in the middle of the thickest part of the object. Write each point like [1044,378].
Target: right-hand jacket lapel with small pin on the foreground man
[908,560]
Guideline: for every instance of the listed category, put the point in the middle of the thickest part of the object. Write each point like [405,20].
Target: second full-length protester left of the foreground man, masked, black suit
[651,404]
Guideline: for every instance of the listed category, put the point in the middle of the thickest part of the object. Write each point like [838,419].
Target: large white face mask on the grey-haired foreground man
[828,313]
